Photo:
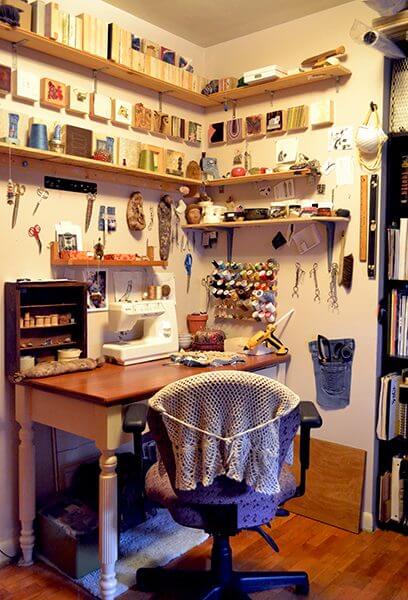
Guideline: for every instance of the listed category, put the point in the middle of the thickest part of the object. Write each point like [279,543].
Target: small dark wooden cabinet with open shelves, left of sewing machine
[42,317]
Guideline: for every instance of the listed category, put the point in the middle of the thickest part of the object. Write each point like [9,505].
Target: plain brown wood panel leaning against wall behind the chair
[334,485]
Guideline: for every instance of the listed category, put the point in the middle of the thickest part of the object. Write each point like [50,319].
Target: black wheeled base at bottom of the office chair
[204,585]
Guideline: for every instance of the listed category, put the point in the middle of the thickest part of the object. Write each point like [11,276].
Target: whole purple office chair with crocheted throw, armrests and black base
[223,438]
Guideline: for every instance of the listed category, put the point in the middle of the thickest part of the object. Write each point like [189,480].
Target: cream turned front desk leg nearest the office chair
[108,522]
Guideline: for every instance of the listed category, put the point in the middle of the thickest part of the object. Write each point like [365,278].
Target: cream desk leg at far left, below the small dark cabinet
[26,481]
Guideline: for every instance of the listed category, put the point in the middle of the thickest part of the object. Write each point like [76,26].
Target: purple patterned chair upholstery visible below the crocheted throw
[253,508]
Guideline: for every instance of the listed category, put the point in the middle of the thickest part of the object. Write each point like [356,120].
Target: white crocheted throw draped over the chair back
[225,423]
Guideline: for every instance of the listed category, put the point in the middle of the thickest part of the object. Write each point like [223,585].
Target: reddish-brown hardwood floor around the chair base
[341,565]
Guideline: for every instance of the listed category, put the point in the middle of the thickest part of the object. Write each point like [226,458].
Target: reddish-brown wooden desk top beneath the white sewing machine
[114,384]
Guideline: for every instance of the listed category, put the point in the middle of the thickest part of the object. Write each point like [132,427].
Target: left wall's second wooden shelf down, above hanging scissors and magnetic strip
[42,159]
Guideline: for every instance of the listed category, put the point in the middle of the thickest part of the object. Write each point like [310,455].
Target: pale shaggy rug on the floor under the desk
[154,543]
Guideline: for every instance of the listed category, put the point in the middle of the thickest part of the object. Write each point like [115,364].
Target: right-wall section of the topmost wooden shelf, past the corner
[284,83]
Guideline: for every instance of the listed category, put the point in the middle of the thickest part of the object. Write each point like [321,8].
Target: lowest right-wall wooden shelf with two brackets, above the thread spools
[230,227]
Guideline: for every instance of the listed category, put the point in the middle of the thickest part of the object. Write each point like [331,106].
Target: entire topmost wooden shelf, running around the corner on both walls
[36,42]
